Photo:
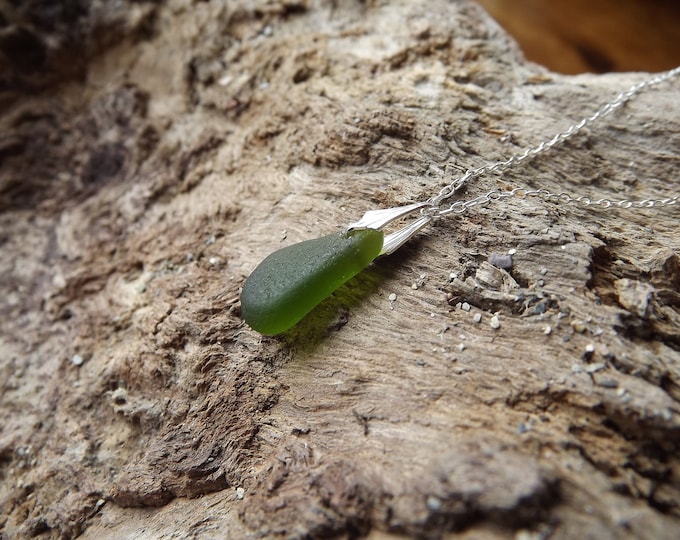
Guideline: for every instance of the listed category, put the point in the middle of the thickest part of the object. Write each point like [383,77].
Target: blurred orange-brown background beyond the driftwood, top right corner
[575,36]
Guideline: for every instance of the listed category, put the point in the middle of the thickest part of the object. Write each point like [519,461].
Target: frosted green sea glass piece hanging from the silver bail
[290,282]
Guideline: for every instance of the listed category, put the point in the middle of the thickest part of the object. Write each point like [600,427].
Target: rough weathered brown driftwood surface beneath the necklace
[139,192]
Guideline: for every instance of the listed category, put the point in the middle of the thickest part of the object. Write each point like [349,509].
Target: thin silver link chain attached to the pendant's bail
[435,208]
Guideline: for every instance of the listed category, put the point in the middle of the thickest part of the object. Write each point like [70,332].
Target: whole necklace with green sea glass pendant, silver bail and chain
[290,282]
